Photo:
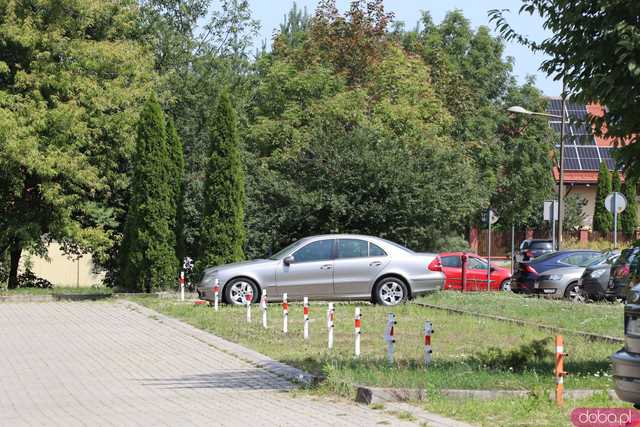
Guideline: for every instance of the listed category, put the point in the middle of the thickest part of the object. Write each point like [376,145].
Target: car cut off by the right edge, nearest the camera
[626,361]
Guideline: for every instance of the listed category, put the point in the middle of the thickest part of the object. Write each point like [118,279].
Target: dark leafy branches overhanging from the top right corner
[598,66]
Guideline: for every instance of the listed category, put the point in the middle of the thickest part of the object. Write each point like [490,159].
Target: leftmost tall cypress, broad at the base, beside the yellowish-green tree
[147,257]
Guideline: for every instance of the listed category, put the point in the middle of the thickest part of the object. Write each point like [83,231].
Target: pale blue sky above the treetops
[270,13]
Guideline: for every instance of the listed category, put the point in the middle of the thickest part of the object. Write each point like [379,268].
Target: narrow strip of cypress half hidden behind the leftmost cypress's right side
[176,168]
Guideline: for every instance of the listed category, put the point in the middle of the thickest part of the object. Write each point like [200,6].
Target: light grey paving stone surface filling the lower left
[99,363]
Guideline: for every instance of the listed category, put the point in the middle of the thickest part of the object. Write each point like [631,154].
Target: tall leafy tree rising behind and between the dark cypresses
[199,49]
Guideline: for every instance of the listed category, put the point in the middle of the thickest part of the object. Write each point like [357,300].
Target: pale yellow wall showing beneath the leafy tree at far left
[62,271]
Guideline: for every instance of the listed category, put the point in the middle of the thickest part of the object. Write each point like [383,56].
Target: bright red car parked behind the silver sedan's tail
[476,272]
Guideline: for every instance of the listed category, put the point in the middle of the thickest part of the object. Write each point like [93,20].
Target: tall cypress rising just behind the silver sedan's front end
[222,233]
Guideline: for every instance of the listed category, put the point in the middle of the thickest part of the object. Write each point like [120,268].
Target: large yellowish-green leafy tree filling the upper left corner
[72,75]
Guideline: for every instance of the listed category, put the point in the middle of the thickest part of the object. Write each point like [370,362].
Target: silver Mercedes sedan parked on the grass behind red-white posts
[335,266]
